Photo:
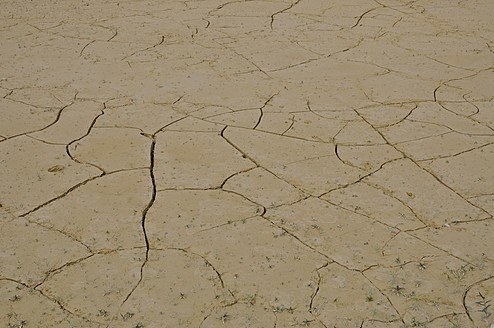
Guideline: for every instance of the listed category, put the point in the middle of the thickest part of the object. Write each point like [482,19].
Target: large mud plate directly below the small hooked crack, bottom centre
[255,258]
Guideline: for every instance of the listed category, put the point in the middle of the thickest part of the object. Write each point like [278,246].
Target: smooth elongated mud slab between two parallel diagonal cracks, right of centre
[336,232]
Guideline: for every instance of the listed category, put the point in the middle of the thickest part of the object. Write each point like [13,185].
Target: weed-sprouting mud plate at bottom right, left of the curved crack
[426,289]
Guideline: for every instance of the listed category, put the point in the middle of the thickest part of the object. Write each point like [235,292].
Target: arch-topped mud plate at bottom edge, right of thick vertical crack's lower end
[177,289]
